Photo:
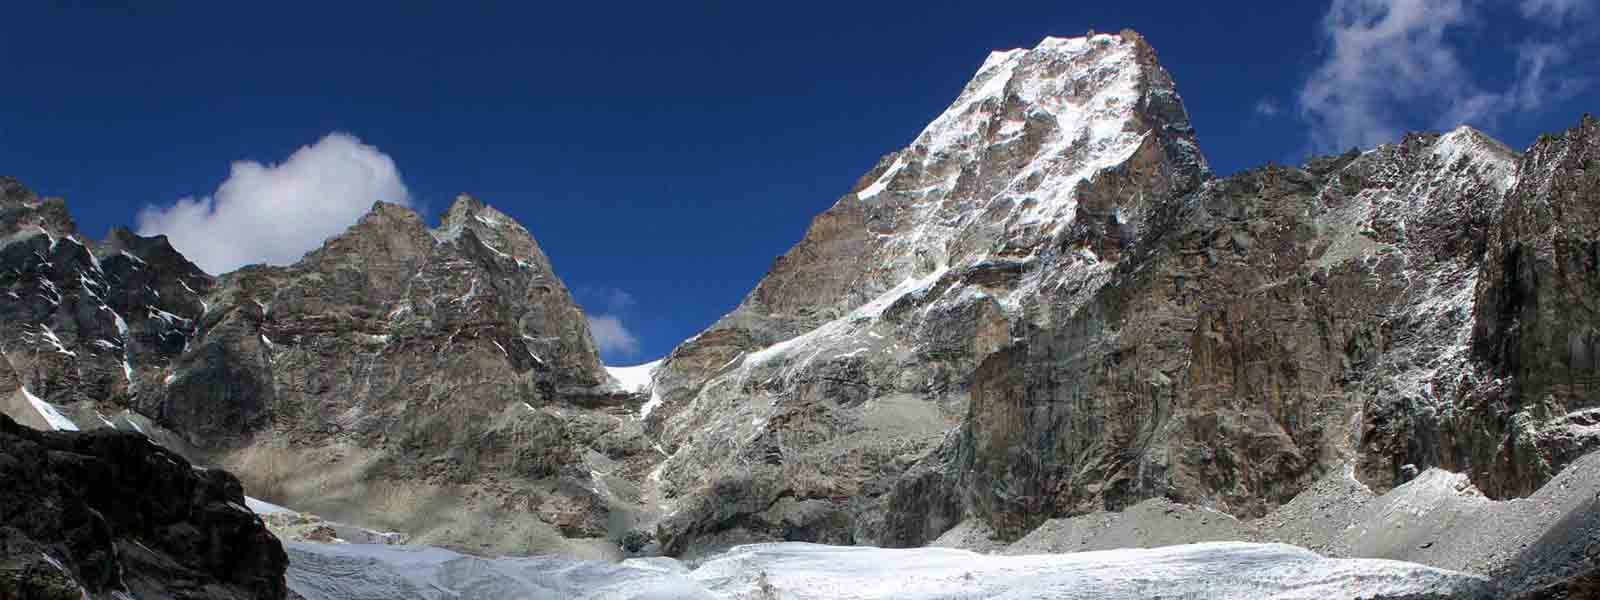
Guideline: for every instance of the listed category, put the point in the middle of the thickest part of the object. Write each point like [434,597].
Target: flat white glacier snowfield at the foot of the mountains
[802,572]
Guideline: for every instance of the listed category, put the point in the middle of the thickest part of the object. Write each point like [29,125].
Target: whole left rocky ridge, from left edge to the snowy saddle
[426,380]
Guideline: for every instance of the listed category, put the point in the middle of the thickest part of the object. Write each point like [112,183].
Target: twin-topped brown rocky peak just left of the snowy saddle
[434,380]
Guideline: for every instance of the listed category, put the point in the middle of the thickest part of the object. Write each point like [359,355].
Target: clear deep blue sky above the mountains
[665,150]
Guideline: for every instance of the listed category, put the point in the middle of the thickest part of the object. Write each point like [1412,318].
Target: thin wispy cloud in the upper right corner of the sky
[1393,58]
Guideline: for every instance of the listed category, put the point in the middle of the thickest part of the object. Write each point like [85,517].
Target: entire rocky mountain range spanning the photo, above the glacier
[1042,313]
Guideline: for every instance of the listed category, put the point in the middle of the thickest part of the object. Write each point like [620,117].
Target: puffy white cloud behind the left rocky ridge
[278,214]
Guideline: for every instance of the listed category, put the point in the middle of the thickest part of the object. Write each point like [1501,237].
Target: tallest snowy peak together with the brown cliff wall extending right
[1046,308]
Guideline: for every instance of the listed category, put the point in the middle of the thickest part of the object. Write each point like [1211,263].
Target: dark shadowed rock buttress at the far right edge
[1537,327]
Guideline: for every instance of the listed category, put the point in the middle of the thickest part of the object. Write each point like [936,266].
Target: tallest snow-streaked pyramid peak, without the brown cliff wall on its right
[796,415]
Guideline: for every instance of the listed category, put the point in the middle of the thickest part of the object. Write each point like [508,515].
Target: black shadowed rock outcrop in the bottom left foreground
[110,511]
